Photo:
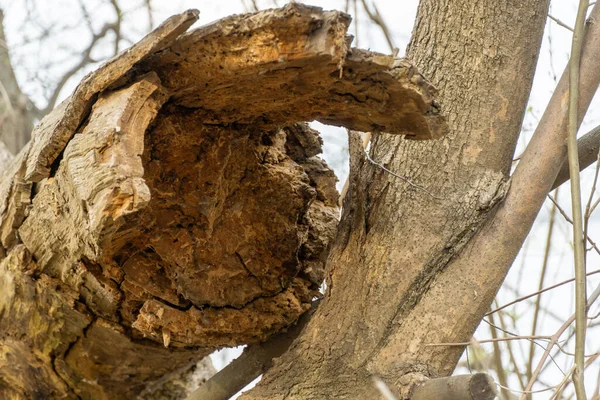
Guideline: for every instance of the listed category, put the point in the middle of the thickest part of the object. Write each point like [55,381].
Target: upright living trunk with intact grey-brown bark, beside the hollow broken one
[396,282]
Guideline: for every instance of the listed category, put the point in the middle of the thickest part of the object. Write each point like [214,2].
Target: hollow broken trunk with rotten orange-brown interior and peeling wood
[175,203]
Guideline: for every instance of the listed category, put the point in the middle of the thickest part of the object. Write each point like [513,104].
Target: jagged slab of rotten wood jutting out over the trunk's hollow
[294,64]
